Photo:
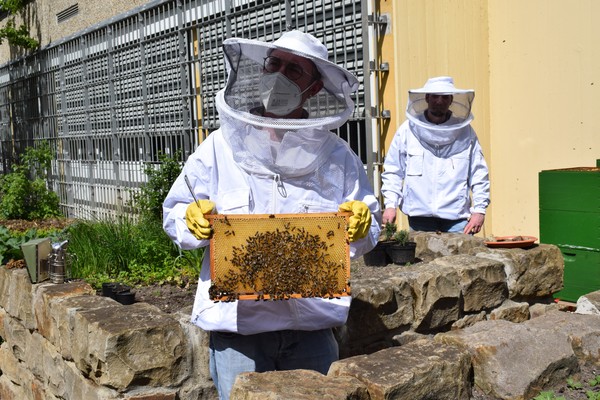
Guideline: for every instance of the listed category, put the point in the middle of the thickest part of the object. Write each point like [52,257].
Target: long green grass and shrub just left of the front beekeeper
[135,252]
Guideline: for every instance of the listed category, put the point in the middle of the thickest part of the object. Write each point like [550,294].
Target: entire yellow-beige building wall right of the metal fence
[535,68]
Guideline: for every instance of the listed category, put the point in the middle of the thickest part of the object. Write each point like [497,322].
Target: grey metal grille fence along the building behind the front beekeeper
[111,99]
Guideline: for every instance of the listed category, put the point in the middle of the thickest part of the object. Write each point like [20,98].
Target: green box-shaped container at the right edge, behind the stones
[570,219]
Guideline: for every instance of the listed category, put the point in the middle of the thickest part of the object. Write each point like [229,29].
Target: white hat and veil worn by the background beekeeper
[452,136]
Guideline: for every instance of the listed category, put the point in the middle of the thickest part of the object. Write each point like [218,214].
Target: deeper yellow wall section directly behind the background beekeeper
[435,38]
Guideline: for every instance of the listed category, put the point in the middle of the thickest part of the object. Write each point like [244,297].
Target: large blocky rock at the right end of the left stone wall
[136,344]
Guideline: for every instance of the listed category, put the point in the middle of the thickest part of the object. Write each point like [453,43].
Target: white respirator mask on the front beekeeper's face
[279,95]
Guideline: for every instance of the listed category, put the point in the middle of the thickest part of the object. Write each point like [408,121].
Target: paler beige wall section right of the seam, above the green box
[544,99]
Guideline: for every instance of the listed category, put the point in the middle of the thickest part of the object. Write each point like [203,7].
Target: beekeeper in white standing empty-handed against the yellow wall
[434,170]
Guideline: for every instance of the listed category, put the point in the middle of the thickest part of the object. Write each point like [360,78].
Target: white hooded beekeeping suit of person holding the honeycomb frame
[254,164]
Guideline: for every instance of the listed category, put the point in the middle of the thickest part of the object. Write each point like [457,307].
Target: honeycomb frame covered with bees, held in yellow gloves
[279,256]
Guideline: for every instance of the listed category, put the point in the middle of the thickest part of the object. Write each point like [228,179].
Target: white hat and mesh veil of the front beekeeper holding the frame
[289,147]
